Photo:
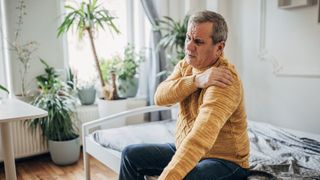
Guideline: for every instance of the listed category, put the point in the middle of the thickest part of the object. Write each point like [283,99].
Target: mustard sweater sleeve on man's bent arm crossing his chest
[175,88]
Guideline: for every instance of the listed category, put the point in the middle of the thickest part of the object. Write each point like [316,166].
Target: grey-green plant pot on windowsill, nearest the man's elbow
[128,88]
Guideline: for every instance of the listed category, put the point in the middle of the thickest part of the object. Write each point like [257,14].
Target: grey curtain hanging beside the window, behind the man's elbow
[157,63]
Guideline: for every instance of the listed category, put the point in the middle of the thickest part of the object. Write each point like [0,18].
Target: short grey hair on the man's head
[219,28]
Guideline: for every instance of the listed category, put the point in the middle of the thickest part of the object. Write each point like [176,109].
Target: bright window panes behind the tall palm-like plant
[132,23]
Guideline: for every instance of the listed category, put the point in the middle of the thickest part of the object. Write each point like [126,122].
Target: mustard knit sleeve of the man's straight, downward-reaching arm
[218,105]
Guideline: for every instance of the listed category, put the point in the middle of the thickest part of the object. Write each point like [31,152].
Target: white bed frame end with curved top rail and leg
[108,157]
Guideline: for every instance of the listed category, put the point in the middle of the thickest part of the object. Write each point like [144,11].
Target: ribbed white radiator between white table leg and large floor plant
[25,141]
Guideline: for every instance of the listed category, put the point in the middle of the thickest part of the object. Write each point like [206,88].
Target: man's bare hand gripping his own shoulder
[214,77]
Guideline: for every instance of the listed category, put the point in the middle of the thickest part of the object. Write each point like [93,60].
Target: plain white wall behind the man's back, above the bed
[290,97]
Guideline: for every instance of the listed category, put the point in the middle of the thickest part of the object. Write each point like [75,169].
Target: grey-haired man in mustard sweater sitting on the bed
[211,136]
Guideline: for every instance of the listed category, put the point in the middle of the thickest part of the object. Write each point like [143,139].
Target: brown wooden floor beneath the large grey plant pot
[42,168]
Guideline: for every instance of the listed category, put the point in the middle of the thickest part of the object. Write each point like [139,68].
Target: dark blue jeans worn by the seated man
[141,160]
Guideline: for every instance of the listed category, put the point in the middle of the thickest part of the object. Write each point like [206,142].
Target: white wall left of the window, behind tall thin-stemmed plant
[40,25]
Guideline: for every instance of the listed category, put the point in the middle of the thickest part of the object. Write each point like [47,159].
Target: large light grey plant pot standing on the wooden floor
[65,152]
